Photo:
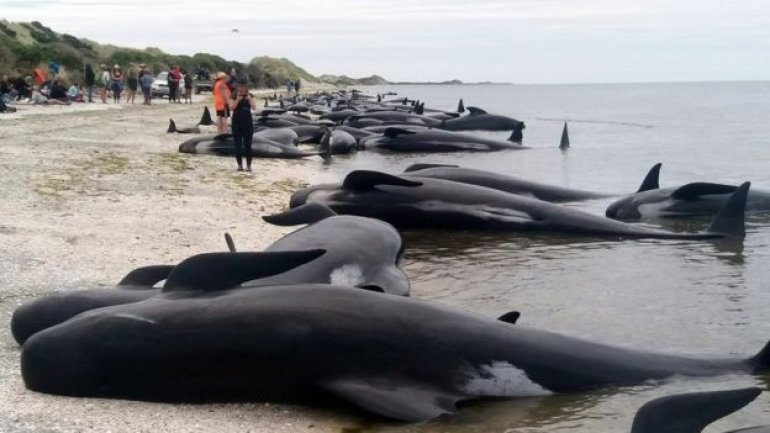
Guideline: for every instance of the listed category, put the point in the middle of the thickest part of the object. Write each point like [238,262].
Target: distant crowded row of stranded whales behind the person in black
[352,122]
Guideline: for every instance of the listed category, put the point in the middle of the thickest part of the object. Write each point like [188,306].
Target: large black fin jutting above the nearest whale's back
[210,272]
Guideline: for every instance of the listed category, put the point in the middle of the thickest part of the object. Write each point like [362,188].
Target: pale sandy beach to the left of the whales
[90,192]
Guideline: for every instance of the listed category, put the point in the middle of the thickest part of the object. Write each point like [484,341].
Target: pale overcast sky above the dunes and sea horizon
[520,41]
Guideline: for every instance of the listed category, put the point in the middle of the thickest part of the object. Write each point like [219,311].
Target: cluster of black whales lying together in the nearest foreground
[323,311]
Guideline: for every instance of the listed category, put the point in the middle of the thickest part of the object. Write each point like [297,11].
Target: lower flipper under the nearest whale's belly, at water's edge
[394,399]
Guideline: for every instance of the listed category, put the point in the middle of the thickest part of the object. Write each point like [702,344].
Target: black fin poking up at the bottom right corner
[690,412]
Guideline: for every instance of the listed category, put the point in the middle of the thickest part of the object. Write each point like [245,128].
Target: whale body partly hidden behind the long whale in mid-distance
[511,184]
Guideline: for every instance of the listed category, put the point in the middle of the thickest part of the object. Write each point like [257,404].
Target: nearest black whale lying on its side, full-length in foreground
[393,356]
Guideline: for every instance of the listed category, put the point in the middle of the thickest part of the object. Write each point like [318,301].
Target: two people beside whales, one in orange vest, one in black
[231,95]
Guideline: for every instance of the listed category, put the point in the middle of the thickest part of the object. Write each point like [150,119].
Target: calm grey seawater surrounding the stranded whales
[682,297]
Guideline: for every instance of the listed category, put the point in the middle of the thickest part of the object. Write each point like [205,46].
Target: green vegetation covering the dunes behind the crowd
[26,46]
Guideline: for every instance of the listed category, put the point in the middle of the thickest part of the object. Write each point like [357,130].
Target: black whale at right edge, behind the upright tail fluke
[697,198]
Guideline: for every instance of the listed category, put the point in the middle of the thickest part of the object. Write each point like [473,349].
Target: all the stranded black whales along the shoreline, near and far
[325,311]
